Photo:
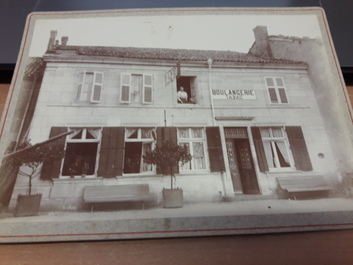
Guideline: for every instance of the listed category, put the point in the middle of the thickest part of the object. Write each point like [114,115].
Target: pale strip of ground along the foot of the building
[234,208]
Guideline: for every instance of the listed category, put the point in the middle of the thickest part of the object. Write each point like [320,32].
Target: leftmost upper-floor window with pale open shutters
[90,87]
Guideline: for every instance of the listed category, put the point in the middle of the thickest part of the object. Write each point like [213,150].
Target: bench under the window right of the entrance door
[291,187]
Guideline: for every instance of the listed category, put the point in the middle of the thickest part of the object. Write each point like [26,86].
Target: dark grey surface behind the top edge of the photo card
[13,14]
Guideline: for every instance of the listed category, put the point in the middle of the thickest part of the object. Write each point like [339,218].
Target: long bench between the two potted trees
[118,193]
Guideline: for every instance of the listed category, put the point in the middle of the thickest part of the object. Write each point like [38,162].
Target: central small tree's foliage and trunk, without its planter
[168,156]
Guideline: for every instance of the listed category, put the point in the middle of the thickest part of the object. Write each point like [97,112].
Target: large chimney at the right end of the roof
[261,46]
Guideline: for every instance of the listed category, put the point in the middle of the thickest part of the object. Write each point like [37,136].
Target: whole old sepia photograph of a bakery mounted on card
[152,123]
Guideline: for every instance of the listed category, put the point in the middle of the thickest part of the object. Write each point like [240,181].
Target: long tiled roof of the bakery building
[160,54]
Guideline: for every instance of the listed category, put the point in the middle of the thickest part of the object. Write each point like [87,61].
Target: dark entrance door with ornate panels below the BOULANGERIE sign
[240,161]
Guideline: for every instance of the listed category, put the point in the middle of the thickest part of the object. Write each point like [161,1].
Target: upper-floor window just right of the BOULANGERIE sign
[276,90]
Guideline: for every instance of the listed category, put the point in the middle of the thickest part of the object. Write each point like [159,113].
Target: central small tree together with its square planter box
[168,156]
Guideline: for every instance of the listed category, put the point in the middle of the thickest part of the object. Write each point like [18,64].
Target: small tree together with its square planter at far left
[30,162]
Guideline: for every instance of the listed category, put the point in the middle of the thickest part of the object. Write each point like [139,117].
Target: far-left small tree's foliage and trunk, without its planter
[33,158]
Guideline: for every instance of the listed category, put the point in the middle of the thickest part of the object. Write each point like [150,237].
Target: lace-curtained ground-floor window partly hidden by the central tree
[194,139]
